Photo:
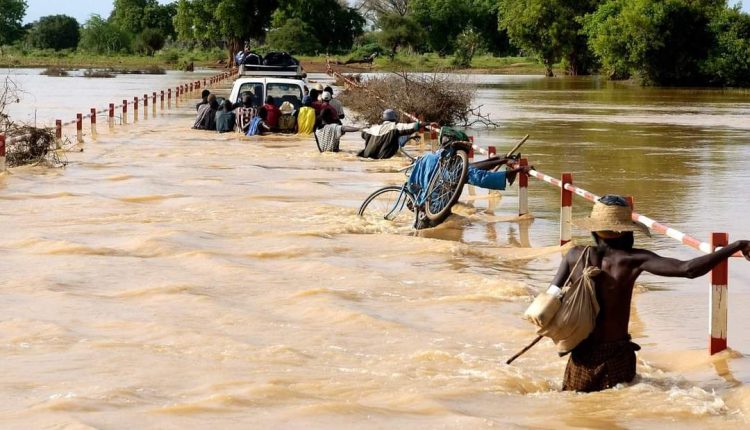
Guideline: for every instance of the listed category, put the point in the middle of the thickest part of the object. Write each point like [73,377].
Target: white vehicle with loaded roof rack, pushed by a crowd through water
[262,81]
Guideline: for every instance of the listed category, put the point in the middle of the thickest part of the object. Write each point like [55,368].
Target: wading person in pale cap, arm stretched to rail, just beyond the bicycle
[382,141]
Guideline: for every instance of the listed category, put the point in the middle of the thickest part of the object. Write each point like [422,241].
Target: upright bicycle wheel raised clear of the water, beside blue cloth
[446,185]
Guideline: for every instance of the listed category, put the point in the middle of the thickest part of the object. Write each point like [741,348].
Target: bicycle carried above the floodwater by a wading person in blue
[431,207]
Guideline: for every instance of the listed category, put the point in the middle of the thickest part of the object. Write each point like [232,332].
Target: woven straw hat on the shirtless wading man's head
[611,213]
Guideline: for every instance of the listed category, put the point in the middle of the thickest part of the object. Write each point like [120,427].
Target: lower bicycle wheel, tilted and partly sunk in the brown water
[391,203]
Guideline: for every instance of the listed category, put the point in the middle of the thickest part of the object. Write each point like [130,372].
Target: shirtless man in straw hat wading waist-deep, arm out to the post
[607,356]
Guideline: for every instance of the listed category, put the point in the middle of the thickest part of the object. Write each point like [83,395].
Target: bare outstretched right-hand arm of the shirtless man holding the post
[663,266]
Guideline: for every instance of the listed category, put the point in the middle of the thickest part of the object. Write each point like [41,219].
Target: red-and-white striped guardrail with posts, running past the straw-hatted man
[719,275]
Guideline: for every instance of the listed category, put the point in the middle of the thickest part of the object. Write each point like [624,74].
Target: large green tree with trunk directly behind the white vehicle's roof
[229,21]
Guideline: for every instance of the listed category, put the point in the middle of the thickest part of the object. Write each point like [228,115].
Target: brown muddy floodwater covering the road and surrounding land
[176,279]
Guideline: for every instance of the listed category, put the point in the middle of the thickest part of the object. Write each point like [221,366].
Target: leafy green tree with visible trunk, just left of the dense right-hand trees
[549,29]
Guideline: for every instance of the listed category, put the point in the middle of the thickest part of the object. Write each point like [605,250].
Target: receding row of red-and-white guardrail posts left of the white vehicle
[181,91]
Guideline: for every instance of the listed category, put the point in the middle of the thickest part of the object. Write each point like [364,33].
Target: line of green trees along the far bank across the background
[659,42]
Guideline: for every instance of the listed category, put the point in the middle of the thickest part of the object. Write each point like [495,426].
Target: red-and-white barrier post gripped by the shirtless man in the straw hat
[718,306]
